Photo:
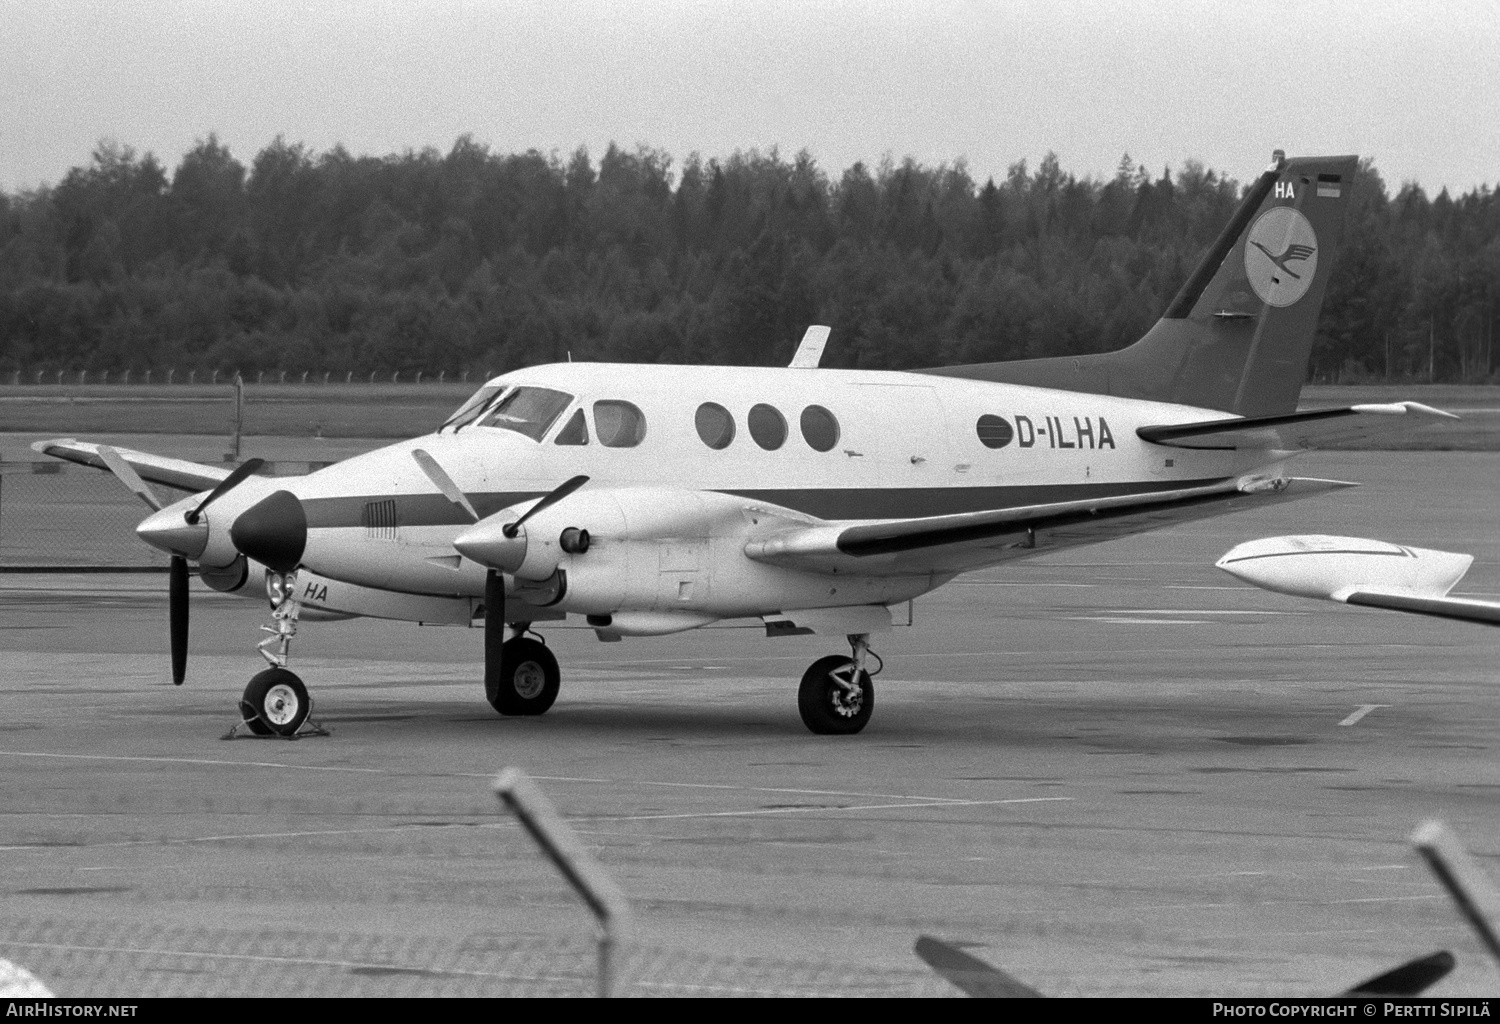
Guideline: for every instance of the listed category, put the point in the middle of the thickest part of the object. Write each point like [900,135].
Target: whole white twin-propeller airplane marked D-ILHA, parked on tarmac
[652,500]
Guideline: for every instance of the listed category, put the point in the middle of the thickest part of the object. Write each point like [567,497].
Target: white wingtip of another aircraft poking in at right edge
[1355,570]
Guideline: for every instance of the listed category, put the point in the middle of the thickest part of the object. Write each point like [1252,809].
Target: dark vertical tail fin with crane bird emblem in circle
[1240,334]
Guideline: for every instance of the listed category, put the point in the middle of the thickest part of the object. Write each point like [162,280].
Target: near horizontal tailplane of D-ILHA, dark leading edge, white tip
[1294,431]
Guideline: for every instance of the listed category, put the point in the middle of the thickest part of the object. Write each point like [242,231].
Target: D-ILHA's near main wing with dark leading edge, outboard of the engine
[974,540]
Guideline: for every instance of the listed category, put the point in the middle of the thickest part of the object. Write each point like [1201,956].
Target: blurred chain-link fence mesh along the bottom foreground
[76,959]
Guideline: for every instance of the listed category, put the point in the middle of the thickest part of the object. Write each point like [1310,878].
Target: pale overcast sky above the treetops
[1412,85]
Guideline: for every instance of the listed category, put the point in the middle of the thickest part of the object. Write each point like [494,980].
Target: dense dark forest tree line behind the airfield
[482,262]
